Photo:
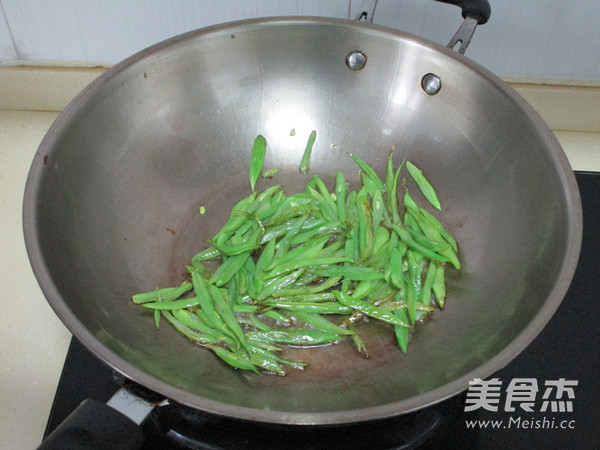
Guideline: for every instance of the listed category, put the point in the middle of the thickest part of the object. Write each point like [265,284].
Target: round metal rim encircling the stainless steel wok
[121,365]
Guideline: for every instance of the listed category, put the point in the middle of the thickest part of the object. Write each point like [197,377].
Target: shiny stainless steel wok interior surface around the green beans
[134,157]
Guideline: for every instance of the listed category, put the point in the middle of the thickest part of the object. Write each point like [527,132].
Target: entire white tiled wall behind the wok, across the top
[529,39]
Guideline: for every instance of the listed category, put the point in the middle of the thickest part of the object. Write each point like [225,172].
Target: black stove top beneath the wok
[555,377]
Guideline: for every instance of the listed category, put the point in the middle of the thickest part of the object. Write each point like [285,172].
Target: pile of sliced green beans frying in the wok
[305,269]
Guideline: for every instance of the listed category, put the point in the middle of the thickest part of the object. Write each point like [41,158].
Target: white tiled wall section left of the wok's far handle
[107,31]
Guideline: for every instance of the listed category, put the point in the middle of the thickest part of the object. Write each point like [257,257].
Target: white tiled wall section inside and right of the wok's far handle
[524,38]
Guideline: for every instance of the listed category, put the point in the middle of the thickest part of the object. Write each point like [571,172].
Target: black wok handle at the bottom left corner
[95,425]
